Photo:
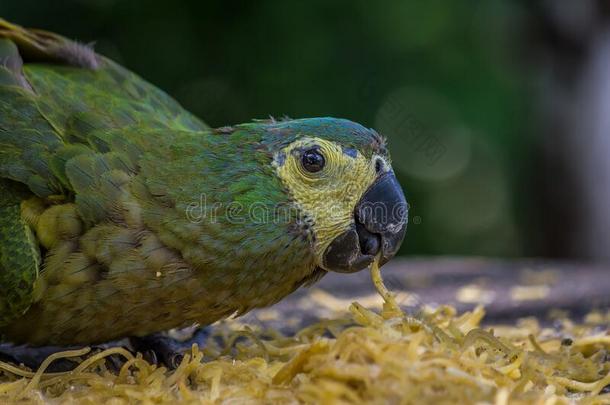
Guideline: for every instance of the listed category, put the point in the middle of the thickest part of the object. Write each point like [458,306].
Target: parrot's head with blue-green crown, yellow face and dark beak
[340,176]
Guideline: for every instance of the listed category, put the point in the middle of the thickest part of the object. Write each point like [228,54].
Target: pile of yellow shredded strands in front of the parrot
[368,356]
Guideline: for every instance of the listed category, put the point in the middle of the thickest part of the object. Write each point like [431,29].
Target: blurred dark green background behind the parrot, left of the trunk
[452,84]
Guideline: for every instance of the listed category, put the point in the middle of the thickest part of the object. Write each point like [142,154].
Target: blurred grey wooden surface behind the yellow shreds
[509,289]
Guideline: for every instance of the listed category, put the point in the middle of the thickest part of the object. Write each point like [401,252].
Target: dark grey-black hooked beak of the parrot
[380,224]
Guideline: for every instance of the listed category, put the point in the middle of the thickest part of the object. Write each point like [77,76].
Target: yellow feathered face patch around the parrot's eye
[329,196]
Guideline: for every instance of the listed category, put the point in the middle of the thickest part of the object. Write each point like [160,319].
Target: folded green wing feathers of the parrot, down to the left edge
[72,127]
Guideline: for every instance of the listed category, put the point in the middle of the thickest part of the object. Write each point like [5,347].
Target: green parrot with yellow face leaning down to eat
[123,215]
